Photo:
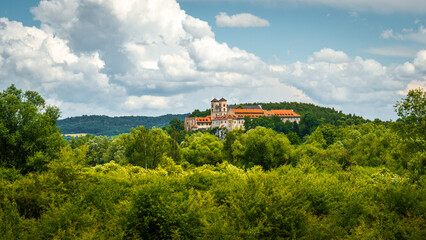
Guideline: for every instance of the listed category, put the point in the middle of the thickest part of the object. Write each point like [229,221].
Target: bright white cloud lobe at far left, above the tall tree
[34,59]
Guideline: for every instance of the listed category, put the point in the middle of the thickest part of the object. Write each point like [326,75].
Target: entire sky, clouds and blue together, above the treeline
[155,57]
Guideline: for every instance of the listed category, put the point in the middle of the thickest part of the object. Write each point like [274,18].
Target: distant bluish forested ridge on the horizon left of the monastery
[110,126]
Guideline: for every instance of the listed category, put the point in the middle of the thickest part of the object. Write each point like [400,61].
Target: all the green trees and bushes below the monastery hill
[341,181]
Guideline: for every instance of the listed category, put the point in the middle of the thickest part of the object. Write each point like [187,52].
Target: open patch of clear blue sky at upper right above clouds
[295,32]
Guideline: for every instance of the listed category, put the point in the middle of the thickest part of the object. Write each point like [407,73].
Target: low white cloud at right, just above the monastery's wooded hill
[356,84]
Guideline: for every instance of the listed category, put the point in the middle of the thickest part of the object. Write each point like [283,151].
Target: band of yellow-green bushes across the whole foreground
[221,202]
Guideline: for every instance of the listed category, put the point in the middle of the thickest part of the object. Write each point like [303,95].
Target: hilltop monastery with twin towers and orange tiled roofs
[231,117]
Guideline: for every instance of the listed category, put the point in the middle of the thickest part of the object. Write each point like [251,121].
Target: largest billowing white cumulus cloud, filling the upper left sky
[127,57]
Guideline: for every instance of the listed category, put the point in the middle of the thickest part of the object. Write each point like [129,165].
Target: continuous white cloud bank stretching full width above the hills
[150,58]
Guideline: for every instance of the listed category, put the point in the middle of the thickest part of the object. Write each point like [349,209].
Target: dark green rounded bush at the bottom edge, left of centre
[163,210]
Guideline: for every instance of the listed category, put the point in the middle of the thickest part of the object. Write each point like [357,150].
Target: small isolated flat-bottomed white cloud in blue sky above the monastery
[240,20]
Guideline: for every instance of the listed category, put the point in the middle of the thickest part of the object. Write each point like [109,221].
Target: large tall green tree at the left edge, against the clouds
[29,138]
